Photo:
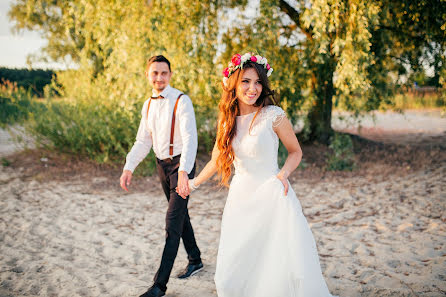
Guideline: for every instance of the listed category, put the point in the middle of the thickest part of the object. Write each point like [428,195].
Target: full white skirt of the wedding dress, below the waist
[266,246]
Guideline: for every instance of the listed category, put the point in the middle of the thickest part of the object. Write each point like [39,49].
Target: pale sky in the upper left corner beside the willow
[14,48]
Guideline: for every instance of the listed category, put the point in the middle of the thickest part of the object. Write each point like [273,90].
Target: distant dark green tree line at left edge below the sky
[34,79]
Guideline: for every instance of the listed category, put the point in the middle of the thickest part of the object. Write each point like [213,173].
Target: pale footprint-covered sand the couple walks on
[380,230]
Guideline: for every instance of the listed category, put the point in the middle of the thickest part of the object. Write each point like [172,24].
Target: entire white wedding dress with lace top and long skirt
[266,246]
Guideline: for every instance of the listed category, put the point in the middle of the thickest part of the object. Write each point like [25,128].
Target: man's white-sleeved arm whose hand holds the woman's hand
[188,128]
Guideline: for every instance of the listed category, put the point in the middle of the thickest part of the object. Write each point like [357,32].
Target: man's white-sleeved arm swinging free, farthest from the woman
[139,151]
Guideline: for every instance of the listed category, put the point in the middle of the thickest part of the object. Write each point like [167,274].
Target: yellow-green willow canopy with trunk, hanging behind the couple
[346,53]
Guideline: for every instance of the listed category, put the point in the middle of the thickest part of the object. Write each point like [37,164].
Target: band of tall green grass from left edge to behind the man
[101,130]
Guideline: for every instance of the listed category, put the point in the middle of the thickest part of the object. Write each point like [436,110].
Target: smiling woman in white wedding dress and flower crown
[266,246]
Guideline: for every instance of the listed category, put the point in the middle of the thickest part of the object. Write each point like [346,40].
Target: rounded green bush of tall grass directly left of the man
[104,132]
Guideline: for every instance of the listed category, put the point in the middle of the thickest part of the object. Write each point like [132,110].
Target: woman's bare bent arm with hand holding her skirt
[286,134]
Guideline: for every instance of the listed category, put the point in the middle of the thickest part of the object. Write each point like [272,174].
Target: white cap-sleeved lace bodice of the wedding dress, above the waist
[256,149]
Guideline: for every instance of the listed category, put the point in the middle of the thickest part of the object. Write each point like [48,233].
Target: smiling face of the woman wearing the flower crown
[249,88]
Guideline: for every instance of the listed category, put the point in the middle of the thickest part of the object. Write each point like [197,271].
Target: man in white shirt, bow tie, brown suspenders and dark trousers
[168,125]
